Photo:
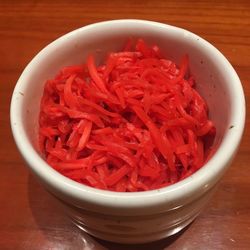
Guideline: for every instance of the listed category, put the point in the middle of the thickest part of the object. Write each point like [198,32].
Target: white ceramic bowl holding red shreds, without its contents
[140,216]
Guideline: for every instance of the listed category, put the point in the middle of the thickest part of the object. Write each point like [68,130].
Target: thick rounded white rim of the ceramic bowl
[203,179]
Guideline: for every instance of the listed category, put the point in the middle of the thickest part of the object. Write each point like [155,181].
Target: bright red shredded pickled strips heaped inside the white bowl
[134,123]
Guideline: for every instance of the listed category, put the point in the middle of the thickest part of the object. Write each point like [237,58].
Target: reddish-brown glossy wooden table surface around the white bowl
[29,217]
